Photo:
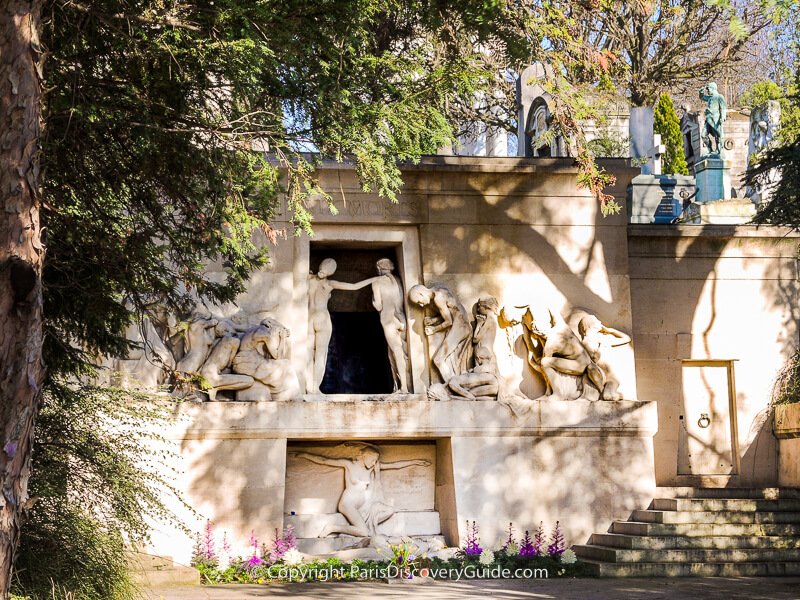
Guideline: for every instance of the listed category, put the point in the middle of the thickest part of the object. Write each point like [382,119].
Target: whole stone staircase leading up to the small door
[703,532]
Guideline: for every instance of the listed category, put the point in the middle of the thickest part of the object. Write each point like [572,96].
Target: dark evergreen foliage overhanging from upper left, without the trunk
[157,119]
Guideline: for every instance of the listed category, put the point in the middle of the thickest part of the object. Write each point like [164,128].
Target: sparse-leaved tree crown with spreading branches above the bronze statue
[659,46]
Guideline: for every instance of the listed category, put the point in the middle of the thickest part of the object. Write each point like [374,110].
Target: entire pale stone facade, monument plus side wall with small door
[518,231]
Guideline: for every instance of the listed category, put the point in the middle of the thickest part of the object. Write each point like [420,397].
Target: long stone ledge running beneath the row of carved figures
[355,417]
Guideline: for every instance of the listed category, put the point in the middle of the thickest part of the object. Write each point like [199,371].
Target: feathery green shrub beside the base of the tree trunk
[96,481]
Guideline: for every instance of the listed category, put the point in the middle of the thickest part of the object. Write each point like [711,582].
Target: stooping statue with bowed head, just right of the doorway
[453,354]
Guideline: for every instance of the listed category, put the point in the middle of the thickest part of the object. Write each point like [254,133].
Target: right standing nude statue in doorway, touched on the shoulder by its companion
[387,299]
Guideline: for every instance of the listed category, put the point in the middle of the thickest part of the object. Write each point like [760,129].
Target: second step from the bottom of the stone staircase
[688,555]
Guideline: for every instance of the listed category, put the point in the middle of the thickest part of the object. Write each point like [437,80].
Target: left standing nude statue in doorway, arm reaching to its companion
[320,288]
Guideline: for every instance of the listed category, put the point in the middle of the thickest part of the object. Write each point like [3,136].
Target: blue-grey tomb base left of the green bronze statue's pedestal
[657,198]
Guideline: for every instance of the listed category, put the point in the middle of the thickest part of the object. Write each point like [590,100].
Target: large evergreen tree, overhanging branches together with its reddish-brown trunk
[168,132]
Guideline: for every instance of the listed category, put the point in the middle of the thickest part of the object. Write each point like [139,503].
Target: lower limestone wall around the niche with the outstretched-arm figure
[582,463]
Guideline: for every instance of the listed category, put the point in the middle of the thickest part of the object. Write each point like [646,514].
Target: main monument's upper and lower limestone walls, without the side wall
[516,229]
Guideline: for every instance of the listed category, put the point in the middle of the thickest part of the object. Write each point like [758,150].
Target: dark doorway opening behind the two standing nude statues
[358,359]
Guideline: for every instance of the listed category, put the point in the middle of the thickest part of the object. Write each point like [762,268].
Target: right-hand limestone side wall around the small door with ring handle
[713,292]
